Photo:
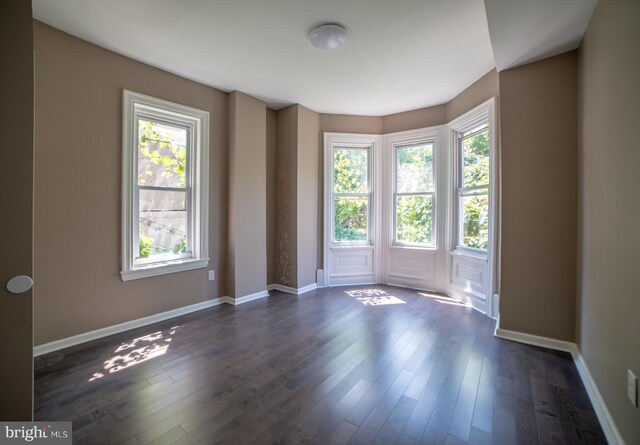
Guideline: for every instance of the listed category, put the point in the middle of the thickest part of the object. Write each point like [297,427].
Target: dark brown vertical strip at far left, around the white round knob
[16,198]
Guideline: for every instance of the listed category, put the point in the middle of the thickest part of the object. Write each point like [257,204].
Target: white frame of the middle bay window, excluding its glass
[394,193]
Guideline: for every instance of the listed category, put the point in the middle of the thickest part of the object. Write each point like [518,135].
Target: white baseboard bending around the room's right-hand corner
[609,428]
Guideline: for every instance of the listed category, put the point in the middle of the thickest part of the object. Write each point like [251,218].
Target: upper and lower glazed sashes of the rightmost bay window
[473,187]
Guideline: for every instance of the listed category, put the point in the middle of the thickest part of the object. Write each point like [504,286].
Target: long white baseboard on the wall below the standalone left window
[122,327]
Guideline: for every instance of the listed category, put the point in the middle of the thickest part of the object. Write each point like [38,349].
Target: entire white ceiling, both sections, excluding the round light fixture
[401,54]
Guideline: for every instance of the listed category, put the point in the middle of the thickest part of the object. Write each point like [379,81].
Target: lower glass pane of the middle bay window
[414,219]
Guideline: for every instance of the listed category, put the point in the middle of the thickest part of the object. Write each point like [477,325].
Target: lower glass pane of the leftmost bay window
[351,218]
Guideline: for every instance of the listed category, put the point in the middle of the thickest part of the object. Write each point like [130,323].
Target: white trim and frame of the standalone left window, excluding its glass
[198,121]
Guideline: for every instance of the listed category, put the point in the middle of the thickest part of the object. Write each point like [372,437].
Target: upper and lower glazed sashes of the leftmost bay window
[351,195]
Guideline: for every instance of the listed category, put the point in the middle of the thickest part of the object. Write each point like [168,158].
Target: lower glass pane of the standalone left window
[163,223]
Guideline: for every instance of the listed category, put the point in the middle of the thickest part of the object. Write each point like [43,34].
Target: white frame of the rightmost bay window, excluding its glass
[477,118]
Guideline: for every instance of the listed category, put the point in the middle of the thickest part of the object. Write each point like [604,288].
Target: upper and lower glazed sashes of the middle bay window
[414,195]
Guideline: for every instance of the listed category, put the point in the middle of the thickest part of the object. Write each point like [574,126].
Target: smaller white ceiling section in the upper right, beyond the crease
[527,31]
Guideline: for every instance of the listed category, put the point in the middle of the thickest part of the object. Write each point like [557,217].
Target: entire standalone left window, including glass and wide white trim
[165,182]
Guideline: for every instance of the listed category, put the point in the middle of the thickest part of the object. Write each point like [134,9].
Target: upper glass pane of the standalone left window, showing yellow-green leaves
[162,154]
